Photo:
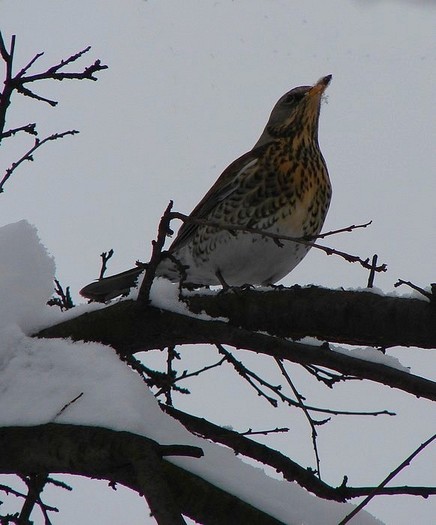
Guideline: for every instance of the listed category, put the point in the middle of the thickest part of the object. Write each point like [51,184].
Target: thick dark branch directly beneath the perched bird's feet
[361,318]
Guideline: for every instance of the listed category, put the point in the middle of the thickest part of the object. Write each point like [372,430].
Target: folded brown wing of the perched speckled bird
[226,184]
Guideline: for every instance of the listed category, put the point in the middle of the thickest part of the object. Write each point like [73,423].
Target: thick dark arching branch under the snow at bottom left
[106,454]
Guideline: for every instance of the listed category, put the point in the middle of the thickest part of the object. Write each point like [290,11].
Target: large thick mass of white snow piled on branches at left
[40,377]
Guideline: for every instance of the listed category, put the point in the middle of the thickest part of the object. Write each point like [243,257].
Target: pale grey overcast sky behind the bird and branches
[189,88]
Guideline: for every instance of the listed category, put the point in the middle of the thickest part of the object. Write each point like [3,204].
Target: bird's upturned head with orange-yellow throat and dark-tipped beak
[296,113]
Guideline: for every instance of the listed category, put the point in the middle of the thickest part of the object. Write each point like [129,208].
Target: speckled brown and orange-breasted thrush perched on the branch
[280,186]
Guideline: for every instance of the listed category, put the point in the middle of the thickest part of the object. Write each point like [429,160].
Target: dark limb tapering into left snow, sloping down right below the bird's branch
[130,328]
